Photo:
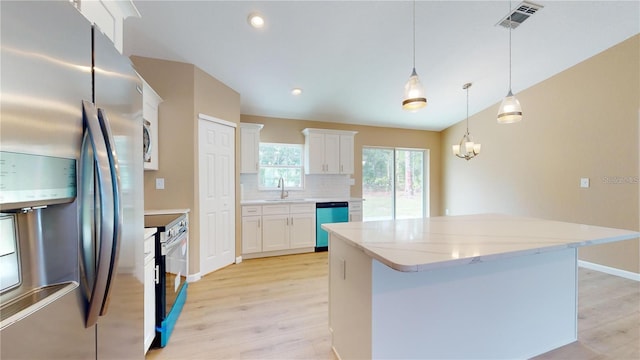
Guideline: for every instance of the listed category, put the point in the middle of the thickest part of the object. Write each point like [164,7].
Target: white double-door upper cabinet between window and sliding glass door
[328,151]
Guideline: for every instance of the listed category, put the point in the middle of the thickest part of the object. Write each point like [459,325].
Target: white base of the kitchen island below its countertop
[506,309]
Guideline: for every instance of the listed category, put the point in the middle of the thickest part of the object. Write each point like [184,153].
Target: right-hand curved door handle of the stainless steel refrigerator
[114,172]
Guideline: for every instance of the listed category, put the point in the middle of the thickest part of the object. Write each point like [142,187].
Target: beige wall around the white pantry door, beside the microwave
[186,91]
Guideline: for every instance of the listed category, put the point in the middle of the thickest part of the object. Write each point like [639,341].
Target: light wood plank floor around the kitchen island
[276,308]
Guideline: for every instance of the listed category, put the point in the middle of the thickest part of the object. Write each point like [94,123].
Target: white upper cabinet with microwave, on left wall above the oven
[150,102]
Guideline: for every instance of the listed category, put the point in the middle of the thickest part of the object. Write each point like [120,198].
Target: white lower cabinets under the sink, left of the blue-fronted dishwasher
[278,229]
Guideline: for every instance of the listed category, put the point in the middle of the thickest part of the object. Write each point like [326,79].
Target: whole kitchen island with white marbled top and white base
[474,287]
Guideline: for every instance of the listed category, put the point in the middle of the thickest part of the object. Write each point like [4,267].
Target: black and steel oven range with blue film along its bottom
[171,248]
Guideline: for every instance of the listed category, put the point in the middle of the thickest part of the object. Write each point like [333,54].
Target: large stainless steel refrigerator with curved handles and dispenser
[71,189]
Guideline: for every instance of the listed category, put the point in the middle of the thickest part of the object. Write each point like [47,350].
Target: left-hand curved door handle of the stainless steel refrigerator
[105,226]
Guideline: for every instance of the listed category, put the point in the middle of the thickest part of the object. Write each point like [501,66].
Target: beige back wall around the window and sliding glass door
[289,131]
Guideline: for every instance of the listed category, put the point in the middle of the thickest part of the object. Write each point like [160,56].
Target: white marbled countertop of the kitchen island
[436,242]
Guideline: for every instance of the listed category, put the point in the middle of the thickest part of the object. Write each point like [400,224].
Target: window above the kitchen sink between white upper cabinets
[281,160]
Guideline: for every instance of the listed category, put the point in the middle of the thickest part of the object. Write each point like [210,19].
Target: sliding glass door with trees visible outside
[394,184]
